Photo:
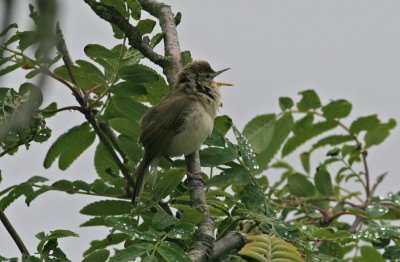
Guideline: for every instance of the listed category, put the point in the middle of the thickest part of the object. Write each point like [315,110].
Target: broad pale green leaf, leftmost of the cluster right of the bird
[259,131]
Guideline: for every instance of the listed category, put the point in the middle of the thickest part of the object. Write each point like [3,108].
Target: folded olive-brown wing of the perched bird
[162,122]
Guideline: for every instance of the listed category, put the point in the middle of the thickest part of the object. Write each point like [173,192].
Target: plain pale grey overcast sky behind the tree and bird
[342,49]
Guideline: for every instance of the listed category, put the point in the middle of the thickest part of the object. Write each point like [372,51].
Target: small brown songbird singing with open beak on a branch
[181,121]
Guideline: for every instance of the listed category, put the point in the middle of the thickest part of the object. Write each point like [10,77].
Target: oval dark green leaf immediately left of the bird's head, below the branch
[138,74]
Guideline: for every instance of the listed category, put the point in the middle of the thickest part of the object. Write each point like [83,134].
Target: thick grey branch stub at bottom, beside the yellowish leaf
[231,241]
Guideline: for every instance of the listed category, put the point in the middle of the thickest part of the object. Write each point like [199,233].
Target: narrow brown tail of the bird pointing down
[145,169]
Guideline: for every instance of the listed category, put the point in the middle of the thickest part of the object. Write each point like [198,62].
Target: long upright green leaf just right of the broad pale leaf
[283,127]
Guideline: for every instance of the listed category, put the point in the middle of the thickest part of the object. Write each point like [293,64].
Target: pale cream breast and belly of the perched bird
[197,127]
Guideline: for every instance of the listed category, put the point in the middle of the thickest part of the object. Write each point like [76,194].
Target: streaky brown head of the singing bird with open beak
[200,73]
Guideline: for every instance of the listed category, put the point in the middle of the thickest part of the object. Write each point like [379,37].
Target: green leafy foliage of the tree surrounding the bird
[297,217]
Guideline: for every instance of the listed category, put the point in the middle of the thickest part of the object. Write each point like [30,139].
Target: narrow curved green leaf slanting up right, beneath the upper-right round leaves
[310,132]
